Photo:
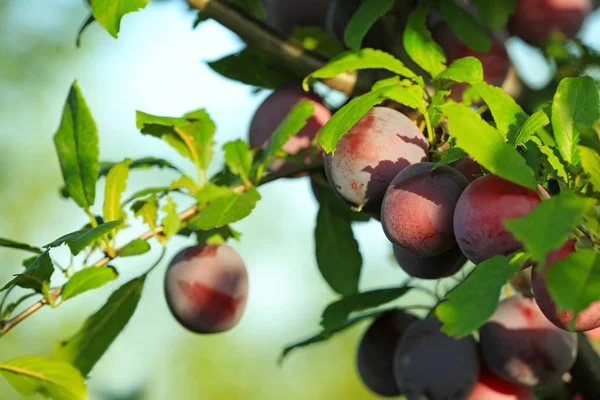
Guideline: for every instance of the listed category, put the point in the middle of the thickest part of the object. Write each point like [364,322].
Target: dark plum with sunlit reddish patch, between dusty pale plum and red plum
[418,208]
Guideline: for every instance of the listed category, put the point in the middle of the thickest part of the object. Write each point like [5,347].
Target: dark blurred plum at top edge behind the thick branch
[285,15]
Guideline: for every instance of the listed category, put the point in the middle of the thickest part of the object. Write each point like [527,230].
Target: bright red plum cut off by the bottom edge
[491,387]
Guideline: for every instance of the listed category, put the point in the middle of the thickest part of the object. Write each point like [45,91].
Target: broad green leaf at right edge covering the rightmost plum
[574,282]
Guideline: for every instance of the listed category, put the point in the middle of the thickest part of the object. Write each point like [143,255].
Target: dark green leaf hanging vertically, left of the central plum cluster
[337,252]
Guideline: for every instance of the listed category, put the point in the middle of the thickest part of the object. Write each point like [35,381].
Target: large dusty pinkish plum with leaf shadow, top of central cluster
[372,153]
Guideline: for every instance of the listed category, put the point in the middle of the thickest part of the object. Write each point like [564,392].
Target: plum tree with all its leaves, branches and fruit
[471,181]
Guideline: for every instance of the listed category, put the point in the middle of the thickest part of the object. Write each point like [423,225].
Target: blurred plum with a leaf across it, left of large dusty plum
[271,113]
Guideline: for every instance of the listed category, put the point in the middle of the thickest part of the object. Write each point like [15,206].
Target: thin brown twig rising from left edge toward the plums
[184,216]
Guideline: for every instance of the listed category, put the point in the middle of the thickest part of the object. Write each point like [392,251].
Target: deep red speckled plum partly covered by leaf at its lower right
[480,212]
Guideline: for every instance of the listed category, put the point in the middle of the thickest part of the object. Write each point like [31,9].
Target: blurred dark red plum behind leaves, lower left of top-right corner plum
[495,62]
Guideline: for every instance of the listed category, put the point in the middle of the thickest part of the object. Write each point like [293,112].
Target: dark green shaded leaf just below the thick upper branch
[266,72]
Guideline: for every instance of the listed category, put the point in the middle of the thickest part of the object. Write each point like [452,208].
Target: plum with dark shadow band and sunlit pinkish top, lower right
[520,345]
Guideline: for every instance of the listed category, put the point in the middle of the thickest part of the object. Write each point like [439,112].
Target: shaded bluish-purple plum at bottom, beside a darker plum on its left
[428,364]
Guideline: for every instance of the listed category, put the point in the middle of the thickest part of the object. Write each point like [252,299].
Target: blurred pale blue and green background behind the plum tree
[158,66]
